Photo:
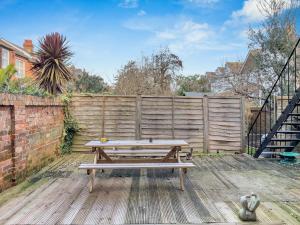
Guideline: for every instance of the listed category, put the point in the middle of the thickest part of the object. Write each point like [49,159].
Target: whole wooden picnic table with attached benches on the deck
[105,156]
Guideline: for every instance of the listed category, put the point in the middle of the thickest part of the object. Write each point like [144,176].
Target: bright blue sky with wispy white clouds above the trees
[105,34]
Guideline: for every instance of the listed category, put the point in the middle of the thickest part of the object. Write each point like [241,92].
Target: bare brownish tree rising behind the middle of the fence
[152,76]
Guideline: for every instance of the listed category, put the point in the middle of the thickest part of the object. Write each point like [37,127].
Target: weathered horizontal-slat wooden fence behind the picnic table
[208,124]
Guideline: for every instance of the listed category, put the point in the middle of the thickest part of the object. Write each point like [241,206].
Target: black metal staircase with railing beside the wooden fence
[276,127]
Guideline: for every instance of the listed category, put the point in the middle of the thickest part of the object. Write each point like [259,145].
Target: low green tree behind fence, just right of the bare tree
[194,83]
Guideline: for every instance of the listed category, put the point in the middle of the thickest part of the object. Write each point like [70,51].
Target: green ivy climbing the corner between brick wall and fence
[70,126]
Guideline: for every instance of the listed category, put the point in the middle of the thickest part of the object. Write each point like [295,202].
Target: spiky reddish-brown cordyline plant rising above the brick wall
[51,67]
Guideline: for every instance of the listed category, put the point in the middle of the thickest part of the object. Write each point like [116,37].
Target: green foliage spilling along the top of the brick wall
[9,84]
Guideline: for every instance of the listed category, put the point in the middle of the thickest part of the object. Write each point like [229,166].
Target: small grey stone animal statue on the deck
[249,205]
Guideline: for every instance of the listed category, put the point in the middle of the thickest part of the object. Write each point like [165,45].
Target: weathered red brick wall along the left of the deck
[30,135]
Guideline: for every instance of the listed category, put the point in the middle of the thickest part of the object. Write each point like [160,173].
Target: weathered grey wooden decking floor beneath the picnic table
[58,194]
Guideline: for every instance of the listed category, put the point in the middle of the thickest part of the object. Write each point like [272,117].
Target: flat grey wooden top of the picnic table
[132,143]
